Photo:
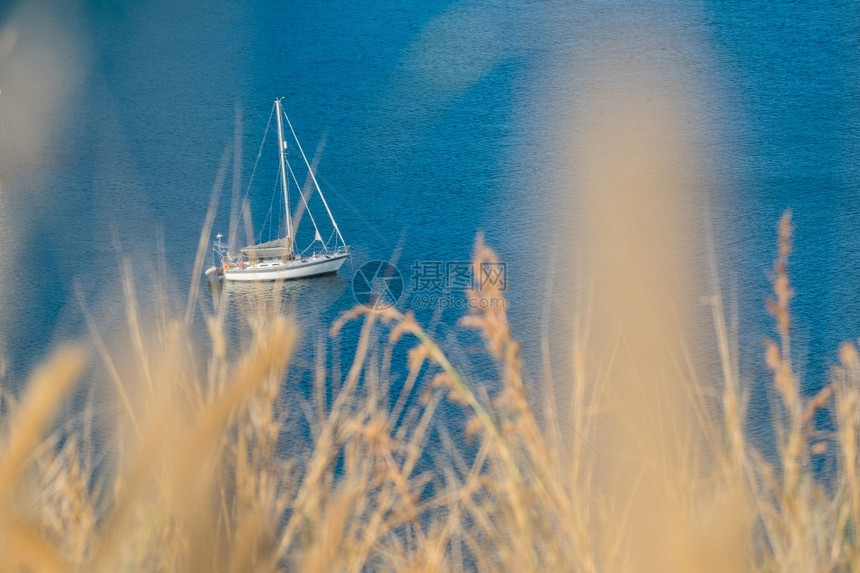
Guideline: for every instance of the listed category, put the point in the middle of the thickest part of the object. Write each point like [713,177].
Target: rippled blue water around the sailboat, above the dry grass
[439,120]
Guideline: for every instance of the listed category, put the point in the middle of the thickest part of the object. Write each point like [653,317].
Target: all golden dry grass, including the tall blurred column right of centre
[158,451]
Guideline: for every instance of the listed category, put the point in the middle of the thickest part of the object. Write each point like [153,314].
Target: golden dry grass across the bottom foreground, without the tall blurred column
[193,470]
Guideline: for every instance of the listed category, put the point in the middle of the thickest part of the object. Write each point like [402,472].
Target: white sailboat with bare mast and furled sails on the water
[279,259]
